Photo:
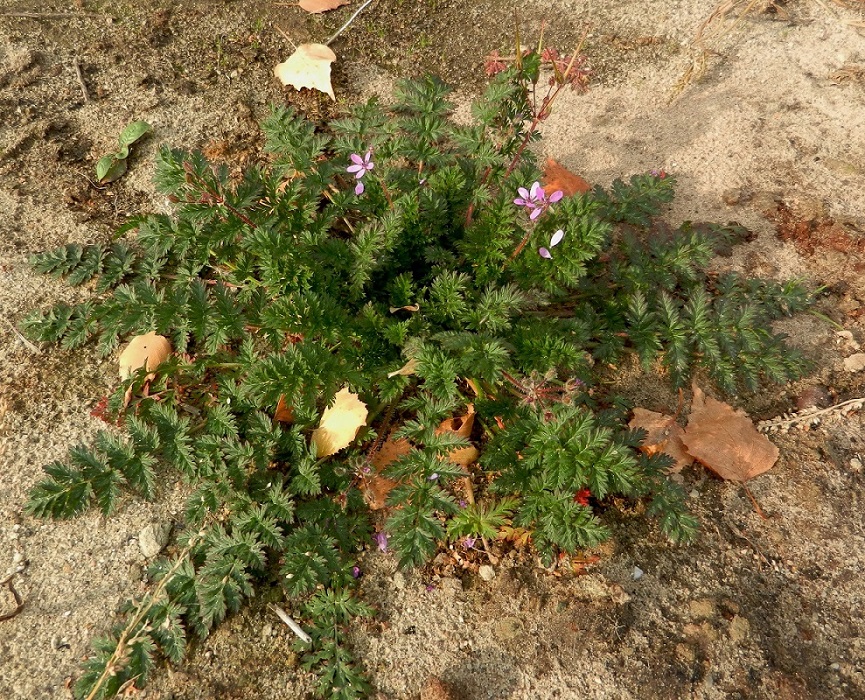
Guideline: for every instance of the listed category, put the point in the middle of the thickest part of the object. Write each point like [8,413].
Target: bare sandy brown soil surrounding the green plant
[773,136]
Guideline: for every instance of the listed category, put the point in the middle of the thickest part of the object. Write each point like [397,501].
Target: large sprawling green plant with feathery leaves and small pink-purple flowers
[290,284]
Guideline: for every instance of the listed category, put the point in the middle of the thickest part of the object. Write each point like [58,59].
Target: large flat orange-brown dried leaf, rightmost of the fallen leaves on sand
[726,441]
